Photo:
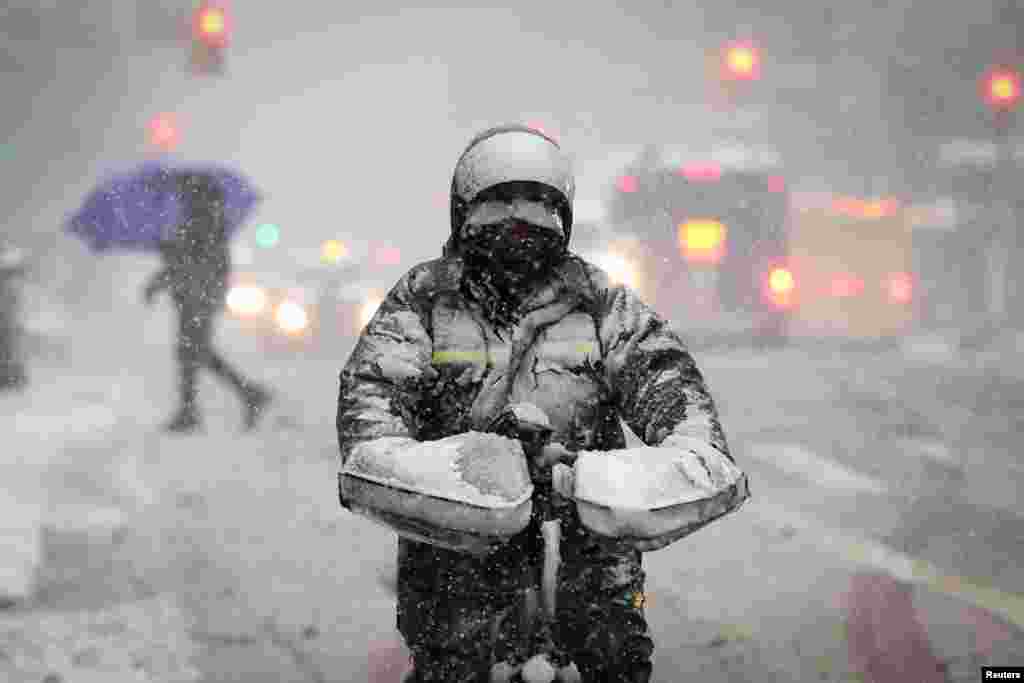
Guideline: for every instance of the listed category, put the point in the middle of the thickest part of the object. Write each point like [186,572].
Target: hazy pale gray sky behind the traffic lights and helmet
[352,115]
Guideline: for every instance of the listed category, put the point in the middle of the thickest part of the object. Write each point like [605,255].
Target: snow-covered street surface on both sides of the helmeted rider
[227,558]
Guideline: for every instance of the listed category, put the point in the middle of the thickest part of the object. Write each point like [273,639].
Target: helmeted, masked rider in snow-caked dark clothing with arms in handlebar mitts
[509,317]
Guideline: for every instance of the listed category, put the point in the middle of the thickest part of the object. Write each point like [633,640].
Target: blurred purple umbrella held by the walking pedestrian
[139,209]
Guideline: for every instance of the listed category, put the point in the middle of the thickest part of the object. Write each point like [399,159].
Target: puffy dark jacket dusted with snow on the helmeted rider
[431,365]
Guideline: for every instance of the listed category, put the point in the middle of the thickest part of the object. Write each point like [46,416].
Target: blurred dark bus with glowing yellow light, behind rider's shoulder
[707,241]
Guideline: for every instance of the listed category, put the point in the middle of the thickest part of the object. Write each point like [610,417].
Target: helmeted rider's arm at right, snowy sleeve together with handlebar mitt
[686,478]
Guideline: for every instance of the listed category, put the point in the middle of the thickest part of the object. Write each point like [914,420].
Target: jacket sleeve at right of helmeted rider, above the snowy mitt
[661,392]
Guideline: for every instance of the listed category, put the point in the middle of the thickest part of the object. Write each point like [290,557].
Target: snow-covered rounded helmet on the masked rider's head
[511,154]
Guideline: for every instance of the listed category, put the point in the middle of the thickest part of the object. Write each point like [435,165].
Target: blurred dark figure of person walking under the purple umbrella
[197,268]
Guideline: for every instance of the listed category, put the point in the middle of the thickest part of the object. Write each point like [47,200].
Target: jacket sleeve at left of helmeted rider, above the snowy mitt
[388,373]
